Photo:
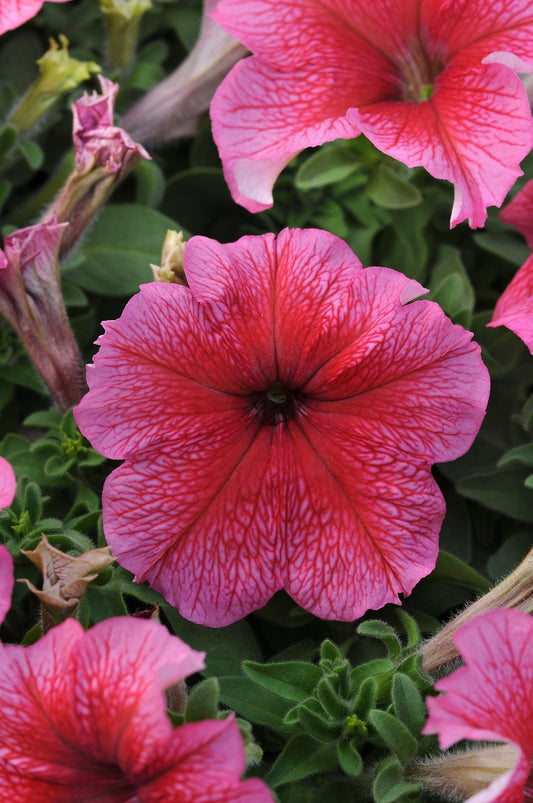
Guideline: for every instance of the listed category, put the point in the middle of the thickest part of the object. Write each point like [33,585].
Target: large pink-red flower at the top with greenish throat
[429,82]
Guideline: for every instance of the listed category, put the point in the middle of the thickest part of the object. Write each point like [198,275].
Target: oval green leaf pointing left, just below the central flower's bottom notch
[292,680]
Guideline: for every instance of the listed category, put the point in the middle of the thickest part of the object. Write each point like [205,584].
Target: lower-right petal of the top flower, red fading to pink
[460,134]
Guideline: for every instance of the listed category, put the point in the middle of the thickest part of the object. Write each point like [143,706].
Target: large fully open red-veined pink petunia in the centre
[278,419]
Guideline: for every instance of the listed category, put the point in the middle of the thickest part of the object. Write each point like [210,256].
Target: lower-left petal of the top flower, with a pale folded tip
[303,111]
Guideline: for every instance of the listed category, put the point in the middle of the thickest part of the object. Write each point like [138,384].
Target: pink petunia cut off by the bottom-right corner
[491,699]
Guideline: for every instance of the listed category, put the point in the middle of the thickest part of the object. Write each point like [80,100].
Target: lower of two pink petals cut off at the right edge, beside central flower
[515,306]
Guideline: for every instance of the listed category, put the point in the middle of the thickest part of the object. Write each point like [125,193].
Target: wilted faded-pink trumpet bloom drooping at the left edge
[31,300]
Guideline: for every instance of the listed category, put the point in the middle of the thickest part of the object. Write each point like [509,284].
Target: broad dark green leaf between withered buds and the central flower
[118,251]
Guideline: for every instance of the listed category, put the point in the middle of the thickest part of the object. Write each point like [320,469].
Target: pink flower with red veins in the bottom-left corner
[84,719]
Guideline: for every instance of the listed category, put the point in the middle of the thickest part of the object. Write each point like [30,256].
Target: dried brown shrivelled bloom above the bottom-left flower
[65,578]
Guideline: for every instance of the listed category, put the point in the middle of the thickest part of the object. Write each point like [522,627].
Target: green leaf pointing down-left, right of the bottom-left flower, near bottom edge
[300,758]
